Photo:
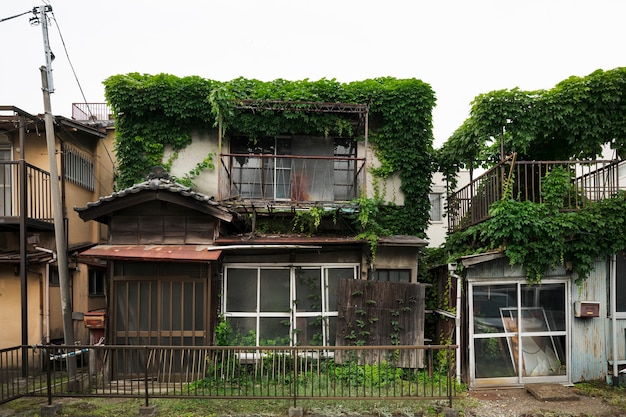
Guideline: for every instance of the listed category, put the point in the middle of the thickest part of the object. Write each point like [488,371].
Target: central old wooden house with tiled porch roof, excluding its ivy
[180,260]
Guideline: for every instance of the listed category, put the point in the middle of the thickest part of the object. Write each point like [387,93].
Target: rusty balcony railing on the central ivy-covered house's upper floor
[290,178]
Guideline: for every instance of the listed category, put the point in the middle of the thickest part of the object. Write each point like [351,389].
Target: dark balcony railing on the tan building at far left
[20,181]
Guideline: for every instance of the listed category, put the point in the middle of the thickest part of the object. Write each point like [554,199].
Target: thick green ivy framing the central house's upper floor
[158,111]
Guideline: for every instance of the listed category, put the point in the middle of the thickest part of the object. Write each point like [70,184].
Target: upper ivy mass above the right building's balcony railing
[572,120]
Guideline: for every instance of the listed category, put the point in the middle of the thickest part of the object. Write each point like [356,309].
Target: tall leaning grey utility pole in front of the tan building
[57,207]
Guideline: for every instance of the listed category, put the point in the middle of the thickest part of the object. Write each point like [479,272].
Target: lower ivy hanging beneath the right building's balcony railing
[540,236]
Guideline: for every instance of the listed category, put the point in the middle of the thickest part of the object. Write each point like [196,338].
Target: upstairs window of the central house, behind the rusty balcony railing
[299,168]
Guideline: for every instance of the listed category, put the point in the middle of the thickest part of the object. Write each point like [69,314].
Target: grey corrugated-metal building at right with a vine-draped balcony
[512,332]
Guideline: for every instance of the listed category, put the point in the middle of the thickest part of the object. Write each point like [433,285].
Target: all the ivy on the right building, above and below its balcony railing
[573,120]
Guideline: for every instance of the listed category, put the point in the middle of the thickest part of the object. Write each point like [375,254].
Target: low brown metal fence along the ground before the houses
[287,373]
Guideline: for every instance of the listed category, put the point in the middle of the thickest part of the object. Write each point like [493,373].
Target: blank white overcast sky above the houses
[460,47]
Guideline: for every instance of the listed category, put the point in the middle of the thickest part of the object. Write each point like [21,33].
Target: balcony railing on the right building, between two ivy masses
[589,181]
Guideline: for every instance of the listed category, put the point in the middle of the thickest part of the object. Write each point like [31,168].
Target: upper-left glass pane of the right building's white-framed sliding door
[488,300]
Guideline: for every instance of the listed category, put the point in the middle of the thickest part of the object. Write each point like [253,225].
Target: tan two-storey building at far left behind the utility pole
[29,279]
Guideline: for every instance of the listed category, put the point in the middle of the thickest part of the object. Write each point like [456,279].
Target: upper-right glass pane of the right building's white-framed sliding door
[545,303]
